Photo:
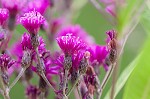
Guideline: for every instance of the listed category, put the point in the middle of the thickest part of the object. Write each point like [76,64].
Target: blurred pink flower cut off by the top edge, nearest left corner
[14,6]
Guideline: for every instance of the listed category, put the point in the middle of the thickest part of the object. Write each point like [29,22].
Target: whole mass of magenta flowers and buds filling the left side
[67,53]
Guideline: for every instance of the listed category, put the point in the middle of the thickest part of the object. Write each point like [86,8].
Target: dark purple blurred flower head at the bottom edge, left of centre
[32,92]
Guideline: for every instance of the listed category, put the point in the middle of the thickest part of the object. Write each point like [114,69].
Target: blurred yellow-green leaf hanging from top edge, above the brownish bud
[129,9]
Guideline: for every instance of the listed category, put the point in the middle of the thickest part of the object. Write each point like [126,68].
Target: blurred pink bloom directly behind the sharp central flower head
[77,31]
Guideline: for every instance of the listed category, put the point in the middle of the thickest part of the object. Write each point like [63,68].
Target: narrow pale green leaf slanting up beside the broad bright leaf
[123,78]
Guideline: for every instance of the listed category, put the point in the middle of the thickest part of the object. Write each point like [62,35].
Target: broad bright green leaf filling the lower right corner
[138,84]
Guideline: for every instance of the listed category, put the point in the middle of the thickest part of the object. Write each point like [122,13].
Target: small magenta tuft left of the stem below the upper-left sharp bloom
[26,42]
